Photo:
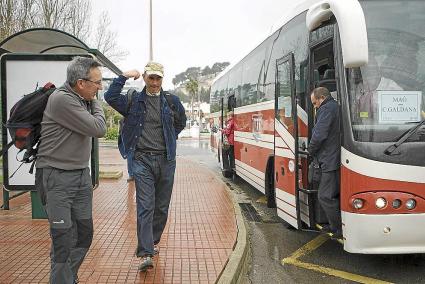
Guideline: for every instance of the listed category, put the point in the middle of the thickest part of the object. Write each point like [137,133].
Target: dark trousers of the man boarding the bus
[328,194]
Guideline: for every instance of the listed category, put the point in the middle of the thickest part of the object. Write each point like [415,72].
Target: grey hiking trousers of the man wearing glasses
[67,197]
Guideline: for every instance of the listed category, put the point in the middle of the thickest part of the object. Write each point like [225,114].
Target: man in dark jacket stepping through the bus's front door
[325,145]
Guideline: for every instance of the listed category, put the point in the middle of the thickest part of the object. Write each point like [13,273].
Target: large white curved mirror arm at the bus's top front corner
[351,24]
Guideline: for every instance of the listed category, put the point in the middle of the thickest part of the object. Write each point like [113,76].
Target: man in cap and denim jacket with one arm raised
[152,121]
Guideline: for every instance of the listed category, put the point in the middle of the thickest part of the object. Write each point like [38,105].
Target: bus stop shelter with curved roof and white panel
[29,59]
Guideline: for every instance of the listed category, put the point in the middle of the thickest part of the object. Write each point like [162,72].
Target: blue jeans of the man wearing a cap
[154,178]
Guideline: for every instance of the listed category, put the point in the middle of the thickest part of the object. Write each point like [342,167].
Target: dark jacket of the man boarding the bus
[325,143]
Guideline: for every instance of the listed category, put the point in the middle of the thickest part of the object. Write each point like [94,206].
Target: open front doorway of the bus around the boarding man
[321,74]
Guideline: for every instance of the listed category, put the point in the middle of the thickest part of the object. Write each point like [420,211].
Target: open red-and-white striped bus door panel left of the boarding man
[285,143]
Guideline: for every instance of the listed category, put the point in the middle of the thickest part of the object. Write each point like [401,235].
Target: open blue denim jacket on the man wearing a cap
[134,117]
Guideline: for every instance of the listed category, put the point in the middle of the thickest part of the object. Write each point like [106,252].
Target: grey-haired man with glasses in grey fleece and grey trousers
[71,118]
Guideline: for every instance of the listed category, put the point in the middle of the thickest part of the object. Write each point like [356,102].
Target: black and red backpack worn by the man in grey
[24,123]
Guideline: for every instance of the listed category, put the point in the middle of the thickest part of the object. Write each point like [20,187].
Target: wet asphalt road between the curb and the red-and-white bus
[271,241]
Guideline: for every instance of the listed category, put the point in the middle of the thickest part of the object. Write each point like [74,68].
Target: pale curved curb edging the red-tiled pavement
[237,265]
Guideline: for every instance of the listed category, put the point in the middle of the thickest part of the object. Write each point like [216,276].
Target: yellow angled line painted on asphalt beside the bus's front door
[311,246]
